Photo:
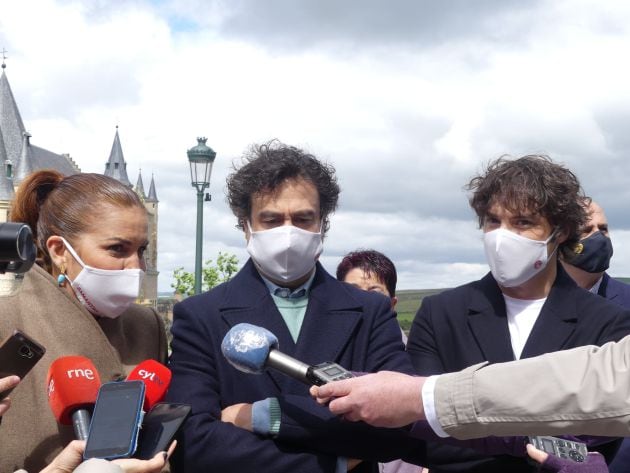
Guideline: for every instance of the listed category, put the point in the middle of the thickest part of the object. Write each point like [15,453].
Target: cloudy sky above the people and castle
[408,99]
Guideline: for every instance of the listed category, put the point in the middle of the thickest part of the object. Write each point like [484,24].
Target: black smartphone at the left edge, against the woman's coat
[18,354]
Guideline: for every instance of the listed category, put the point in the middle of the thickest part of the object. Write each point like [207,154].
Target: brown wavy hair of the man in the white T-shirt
[532,183]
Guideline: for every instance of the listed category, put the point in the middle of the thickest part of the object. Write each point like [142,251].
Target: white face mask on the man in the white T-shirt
[515,259]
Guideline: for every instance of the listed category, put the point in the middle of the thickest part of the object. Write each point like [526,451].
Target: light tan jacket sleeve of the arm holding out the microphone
[585,390]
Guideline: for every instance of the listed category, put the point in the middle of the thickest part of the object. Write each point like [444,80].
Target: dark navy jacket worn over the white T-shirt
[467,325]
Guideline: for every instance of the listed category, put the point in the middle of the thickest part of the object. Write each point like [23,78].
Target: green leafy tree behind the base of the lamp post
[211,275]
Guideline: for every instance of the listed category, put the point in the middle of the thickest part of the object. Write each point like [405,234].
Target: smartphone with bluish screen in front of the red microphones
[116,420]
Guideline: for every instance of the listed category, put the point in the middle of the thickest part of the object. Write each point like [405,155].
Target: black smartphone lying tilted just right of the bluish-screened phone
[159,428]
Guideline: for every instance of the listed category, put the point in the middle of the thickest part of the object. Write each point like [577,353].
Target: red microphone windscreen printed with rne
[73,383]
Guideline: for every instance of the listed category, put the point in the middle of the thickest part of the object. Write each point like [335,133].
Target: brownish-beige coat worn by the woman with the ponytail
[29,434]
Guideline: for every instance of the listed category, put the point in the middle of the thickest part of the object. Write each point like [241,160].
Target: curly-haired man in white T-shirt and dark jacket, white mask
[529,209]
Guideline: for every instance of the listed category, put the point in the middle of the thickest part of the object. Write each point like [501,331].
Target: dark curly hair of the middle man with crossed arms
[267,166]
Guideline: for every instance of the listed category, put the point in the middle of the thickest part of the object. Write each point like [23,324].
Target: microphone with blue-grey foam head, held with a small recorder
[251,349]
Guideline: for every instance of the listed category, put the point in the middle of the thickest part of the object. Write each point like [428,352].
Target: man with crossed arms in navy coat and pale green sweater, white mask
[282,198]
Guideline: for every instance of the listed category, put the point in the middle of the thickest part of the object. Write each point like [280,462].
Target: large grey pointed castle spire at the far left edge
[11,125]
